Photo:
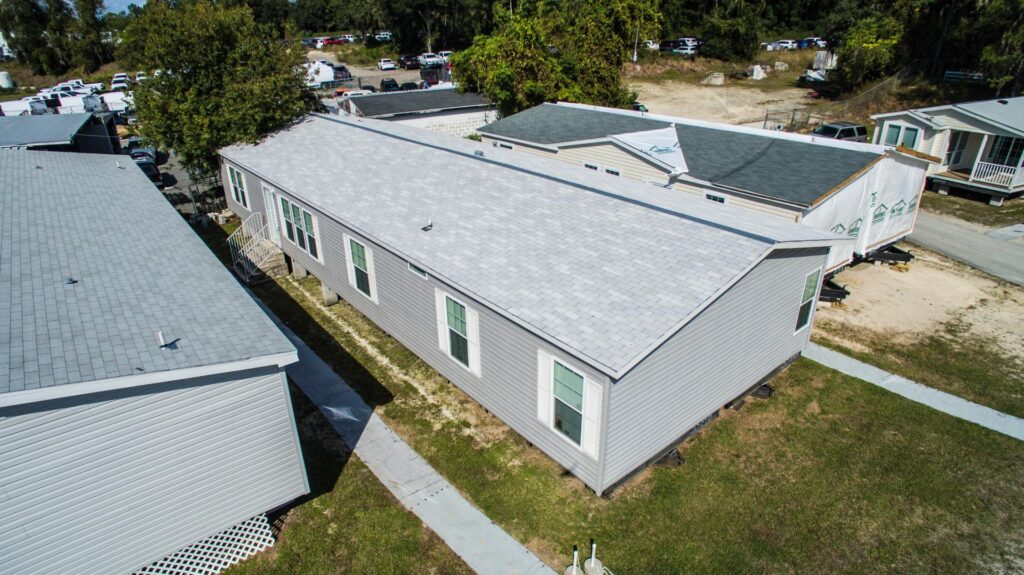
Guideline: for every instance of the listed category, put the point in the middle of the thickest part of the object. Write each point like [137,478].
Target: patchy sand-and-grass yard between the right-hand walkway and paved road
[964,338]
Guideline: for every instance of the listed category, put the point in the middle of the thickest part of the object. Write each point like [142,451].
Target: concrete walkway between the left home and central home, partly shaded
[484,546]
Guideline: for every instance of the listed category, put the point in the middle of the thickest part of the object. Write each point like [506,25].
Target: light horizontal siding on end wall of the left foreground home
[112,482]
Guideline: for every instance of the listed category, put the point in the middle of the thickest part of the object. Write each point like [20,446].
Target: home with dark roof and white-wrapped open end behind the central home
[861,191]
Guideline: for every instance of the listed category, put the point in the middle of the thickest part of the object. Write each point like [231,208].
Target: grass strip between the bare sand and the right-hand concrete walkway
[966,366]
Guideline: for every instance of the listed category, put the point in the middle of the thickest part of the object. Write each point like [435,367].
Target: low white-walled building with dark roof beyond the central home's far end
[440,110]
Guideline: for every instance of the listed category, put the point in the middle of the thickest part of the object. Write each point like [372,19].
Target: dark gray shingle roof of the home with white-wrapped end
[786,167]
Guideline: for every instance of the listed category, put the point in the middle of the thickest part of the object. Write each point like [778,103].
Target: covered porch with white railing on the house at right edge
[982,162]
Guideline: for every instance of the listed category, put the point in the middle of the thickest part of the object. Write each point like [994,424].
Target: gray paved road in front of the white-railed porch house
[946,236]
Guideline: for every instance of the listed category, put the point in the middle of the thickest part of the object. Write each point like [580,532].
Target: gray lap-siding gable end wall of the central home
[735,343]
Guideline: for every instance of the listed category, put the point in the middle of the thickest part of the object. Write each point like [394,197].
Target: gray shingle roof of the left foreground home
[140,270]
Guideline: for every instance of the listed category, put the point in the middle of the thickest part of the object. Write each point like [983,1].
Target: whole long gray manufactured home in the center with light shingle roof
[602,319]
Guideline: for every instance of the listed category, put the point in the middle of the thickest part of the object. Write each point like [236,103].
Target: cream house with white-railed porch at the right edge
[973,147]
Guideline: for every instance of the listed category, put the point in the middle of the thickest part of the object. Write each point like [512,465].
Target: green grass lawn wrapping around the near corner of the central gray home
[831,475]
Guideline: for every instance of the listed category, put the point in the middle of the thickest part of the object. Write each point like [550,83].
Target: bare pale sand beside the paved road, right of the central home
[935,291]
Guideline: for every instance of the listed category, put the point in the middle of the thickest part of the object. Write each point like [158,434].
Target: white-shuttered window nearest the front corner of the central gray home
[569,403]
